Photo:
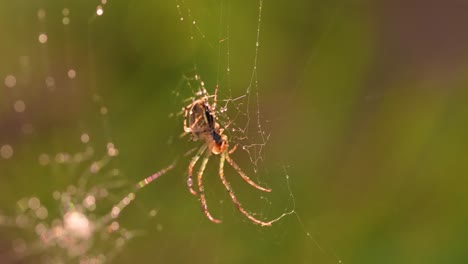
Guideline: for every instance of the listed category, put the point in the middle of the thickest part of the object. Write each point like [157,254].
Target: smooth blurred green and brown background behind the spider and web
[366,104]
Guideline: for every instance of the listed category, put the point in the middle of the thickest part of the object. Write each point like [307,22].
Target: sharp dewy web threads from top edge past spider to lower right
[239,105]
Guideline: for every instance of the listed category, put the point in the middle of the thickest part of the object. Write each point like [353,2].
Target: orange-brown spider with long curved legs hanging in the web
[200,123]
